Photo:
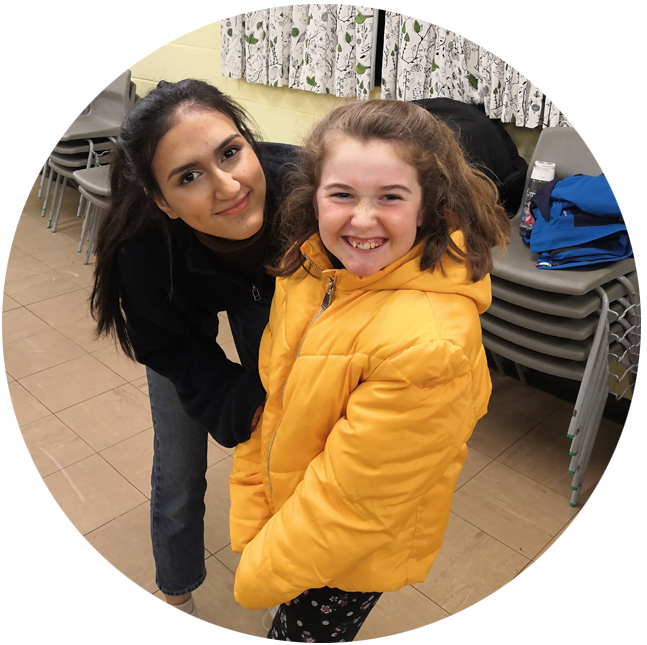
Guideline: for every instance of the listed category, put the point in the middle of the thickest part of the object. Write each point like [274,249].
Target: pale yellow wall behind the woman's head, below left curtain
[283,115]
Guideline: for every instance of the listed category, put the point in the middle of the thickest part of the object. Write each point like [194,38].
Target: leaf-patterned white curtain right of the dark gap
[424,60]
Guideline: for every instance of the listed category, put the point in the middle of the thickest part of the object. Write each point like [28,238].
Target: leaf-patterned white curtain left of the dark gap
[323,48]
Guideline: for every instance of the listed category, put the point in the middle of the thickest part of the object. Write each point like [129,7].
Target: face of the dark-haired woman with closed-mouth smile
[209,176]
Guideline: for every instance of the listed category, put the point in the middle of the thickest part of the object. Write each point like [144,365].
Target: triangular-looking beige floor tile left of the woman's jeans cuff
[125,544]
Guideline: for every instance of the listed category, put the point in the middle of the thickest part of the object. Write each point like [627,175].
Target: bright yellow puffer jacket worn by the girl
[348,479]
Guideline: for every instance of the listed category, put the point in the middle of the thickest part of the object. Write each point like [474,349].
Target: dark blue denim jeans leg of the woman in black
[178,488]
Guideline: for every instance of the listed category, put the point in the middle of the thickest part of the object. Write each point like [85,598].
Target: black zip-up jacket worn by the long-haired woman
[172,318]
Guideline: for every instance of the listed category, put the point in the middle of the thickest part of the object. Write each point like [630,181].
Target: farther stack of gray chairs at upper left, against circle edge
[87,142]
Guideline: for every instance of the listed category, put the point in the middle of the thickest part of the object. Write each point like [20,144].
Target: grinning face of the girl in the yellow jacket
[369,204]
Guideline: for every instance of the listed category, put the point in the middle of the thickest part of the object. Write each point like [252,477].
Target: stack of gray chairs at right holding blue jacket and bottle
[570,323]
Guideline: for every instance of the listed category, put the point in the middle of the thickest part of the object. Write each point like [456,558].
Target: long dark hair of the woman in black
[133,187]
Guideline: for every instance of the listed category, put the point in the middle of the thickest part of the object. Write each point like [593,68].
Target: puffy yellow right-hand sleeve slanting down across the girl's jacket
[404,427]
